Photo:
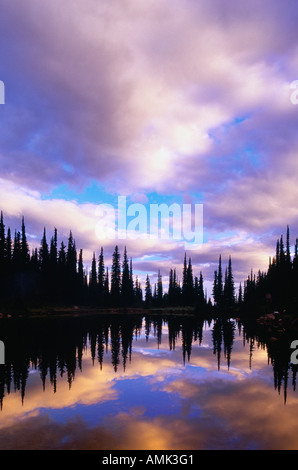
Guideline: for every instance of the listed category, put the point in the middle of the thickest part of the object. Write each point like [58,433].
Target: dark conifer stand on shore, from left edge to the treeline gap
[53,274]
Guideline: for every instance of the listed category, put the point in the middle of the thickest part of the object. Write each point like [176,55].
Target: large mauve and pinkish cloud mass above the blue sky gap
[129,96]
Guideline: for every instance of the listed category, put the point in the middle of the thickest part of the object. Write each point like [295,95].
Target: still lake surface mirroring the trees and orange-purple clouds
[149,383]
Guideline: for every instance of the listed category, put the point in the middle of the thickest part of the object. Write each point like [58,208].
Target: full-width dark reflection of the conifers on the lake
[55,346]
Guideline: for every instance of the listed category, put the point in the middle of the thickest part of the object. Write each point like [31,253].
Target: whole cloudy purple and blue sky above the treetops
[160,101]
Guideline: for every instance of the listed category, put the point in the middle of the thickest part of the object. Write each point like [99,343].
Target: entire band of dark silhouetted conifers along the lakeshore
[55,275]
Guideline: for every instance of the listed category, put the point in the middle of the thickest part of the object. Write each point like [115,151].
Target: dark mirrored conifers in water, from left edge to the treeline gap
[56,346]
